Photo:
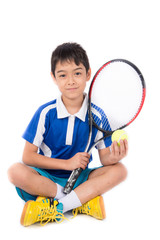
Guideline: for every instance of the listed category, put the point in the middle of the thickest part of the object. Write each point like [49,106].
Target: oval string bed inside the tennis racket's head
[118,90]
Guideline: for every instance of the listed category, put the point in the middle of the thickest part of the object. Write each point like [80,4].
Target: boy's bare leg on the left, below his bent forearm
[30,181]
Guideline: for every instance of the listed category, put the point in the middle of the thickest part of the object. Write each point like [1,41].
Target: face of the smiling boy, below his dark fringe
[71,79]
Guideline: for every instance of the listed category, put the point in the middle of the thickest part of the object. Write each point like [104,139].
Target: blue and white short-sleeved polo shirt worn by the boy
[58,134]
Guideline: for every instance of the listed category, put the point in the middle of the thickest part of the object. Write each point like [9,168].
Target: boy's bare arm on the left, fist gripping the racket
[32,158]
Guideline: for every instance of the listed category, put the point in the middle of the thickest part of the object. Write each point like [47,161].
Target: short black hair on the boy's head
[69,52]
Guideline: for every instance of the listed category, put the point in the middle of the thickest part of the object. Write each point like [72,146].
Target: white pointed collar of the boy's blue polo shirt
[63,113]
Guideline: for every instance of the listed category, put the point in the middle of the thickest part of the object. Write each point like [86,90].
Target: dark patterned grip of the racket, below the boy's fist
[72,180]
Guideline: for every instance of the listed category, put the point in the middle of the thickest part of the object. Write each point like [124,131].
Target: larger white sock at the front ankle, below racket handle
[70,201]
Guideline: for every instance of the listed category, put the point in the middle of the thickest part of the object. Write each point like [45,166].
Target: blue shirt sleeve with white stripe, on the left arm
[35,130]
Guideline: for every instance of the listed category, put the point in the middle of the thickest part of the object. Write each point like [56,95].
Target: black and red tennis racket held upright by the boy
[117,92]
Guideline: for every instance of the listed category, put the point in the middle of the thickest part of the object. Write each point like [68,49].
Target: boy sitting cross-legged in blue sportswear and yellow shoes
[55,142]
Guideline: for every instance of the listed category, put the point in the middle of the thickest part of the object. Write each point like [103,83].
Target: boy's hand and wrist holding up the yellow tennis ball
[109,157]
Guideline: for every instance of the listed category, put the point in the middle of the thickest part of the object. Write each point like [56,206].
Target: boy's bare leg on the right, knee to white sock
[100,181]
